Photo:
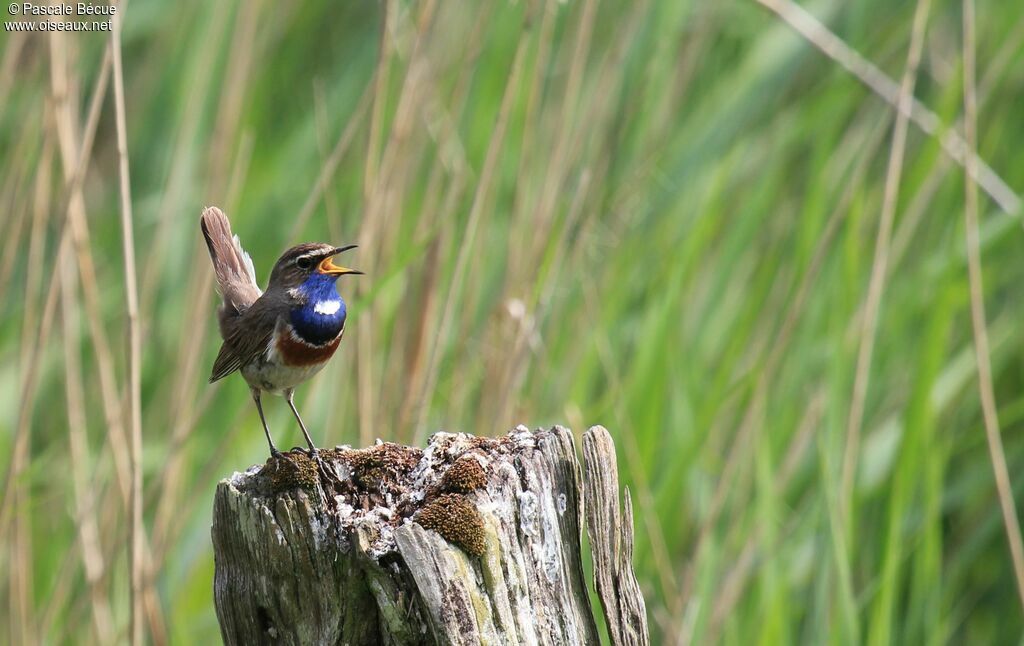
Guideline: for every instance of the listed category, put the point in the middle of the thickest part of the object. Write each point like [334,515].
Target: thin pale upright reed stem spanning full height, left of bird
[138,552]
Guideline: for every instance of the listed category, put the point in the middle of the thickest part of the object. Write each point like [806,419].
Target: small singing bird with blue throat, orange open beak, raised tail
[280,338]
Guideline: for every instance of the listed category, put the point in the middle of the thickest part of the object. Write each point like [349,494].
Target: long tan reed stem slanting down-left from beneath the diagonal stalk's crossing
[880,265]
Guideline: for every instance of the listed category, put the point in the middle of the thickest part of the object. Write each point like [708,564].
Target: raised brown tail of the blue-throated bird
[236,275]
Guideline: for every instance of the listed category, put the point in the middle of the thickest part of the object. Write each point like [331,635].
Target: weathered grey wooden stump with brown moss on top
[471,541]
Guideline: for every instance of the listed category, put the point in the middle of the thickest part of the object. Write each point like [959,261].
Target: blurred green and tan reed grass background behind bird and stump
[660,217]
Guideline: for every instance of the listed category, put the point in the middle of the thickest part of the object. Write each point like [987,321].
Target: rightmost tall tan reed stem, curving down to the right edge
[986,389]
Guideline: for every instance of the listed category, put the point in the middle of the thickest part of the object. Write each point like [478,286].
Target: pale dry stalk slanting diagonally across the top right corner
[877,80]
